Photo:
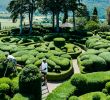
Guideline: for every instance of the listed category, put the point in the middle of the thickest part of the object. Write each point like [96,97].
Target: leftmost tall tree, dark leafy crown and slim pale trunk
[15,7]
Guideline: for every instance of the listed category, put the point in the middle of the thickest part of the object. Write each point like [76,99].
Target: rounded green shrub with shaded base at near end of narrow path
[79,81]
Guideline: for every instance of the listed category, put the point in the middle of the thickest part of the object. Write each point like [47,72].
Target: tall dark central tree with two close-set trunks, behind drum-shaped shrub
[54,7]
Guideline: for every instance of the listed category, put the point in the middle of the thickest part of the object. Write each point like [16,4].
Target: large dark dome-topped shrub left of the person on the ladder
[30,81]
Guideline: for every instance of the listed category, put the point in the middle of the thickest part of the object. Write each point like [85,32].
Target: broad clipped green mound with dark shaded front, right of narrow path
[89,62]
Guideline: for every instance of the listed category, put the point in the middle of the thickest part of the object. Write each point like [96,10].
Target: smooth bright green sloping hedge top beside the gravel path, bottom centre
[62,92]
